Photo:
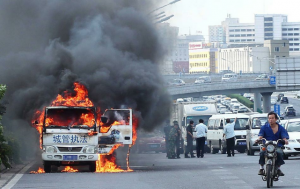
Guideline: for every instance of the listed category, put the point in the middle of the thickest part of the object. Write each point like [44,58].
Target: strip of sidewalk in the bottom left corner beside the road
[7,174]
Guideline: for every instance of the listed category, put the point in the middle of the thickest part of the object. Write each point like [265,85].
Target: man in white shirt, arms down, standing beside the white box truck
[201,131]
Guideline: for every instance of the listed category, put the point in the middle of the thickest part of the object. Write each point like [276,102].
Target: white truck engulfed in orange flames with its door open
[73,132]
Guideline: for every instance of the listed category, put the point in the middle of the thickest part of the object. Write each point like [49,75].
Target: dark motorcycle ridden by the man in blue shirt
[270,173]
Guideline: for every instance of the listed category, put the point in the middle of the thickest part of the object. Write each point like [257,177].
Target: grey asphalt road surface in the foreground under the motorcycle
[156,171]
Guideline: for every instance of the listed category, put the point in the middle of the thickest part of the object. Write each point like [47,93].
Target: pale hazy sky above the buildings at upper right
[196,15]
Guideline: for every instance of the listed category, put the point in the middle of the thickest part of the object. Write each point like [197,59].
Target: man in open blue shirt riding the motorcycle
[272,131]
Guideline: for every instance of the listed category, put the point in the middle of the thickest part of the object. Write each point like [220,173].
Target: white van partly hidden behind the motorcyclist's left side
[253,128]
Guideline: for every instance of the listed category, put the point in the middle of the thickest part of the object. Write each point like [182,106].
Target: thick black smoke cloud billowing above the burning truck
[112,47]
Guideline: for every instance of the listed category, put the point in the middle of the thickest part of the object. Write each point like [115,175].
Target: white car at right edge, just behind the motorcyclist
[293,128]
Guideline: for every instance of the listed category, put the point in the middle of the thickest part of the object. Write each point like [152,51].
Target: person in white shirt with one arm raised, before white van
[229,133]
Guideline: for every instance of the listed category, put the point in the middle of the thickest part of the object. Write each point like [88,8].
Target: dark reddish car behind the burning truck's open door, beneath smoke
[150,143]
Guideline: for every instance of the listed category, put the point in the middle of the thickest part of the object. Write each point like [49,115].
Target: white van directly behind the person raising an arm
[216,125]
